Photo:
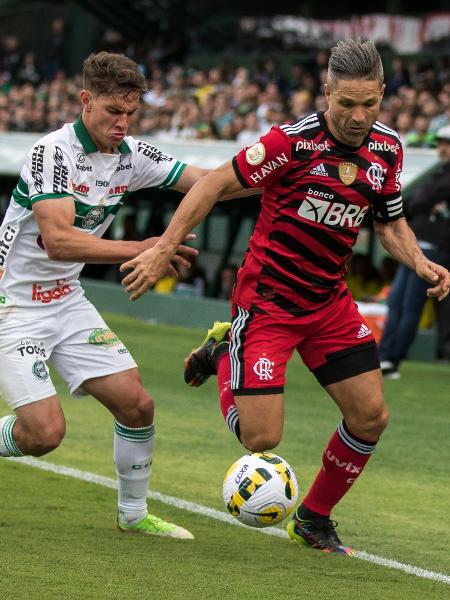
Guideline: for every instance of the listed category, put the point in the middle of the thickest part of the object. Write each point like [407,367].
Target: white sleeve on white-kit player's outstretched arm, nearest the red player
[154,168]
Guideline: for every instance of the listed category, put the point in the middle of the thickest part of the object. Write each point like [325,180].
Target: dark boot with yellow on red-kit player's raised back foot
[201,362]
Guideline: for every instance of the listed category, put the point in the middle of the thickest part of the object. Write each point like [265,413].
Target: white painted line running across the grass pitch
[218,515]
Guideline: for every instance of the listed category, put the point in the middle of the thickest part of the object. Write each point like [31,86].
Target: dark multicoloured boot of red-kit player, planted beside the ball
[318,533]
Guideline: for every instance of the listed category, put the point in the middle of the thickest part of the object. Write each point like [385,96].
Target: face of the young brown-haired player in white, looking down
[108,117]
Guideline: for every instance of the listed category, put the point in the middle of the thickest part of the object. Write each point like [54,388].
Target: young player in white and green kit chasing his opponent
[72,184]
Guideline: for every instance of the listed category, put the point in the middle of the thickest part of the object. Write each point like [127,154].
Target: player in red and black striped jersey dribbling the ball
[319,177]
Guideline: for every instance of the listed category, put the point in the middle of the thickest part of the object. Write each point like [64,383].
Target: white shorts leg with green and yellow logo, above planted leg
[88,349]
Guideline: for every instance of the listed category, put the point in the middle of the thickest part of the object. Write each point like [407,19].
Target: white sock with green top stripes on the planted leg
[133,451]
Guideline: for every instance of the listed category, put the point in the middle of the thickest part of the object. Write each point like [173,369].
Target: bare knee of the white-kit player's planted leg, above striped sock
[124,396]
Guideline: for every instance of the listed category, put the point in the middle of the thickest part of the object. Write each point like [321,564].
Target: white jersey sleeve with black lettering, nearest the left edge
[48,172]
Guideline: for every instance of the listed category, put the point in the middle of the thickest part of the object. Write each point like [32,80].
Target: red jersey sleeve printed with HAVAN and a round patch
[264,162]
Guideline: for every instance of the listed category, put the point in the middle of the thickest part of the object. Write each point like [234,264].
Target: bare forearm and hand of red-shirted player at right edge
[401,243]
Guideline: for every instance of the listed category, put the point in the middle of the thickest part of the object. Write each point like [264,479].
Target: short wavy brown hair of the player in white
[108,73]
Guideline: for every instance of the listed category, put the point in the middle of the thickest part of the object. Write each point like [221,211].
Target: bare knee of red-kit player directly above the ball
[261,420]
